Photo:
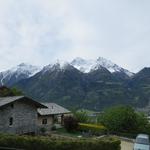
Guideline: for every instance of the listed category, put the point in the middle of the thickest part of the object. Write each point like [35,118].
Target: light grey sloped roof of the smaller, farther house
[53,109]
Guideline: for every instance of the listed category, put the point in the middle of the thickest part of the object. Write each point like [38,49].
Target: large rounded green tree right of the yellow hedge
[121,119]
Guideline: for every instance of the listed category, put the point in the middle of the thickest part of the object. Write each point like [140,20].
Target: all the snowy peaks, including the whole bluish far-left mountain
[24,71]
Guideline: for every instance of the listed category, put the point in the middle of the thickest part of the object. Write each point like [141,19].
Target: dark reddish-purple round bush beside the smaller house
[70,123]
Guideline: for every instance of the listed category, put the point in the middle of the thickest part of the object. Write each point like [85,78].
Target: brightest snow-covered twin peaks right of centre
[89,65]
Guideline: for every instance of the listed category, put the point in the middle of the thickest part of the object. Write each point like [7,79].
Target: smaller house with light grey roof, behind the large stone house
[54,114]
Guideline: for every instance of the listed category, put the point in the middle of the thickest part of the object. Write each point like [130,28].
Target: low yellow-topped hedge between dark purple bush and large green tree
[95,129]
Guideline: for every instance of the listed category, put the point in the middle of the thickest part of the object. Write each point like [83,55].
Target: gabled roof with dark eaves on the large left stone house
[7,100]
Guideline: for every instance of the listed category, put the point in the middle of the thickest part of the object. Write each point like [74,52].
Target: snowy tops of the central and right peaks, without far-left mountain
[86,66]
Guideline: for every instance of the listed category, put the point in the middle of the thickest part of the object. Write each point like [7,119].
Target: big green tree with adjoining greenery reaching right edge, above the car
[125,120]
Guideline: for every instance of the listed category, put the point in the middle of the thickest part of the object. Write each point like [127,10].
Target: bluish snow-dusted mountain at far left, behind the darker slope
[15,74]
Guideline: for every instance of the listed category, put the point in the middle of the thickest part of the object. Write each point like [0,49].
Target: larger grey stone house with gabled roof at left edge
[18,114]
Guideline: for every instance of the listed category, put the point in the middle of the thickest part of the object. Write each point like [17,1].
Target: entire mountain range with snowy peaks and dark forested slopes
[92,84]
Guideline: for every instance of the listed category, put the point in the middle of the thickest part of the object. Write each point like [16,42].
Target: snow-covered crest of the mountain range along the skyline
[83,65]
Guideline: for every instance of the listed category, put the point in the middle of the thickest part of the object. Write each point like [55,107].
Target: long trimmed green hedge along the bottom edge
[41,143]
